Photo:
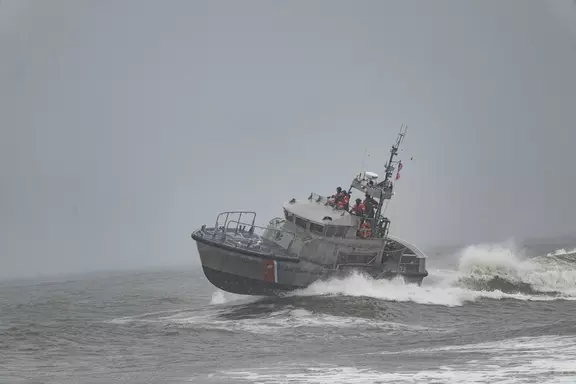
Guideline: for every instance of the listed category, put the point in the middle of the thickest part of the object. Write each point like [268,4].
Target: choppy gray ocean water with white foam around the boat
[486,314]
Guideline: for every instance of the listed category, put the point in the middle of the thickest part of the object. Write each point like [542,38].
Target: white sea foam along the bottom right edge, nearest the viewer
[524,360]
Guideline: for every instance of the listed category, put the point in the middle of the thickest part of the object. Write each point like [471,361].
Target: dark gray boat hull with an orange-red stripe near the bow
[241,271]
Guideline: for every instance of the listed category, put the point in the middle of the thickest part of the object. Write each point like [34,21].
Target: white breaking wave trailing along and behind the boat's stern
[484,271]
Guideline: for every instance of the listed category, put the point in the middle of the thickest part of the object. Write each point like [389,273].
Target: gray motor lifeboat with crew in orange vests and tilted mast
[316,239]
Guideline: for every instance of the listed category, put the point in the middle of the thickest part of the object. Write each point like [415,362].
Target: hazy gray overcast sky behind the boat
[126,124]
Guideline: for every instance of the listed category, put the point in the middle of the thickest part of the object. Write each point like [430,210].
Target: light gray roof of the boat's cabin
[316,211]
